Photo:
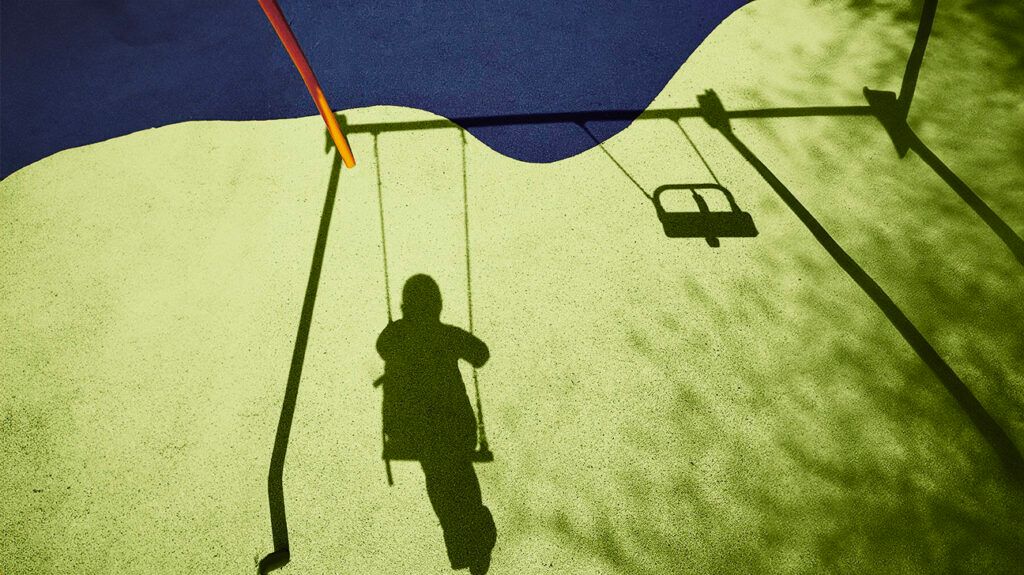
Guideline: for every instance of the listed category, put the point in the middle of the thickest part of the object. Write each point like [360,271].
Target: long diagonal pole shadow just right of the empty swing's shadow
[1009,455]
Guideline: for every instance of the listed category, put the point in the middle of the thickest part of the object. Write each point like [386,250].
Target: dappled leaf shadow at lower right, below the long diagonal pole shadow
[850,472]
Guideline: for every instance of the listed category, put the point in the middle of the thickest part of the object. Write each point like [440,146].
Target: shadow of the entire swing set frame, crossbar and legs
[890,109]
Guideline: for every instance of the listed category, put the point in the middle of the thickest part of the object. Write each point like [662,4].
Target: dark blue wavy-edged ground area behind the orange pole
[78,72]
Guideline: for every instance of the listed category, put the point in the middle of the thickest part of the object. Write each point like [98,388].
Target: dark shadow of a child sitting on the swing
[429,417]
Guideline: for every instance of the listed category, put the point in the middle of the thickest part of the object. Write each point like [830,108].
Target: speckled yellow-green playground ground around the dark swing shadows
[655,406]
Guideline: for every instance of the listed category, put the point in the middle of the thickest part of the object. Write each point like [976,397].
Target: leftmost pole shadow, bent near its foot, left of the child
[276,488]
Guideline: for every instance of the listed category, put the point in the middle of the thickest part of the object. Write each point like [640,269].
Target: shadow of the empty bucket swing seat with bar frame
[704,224]
